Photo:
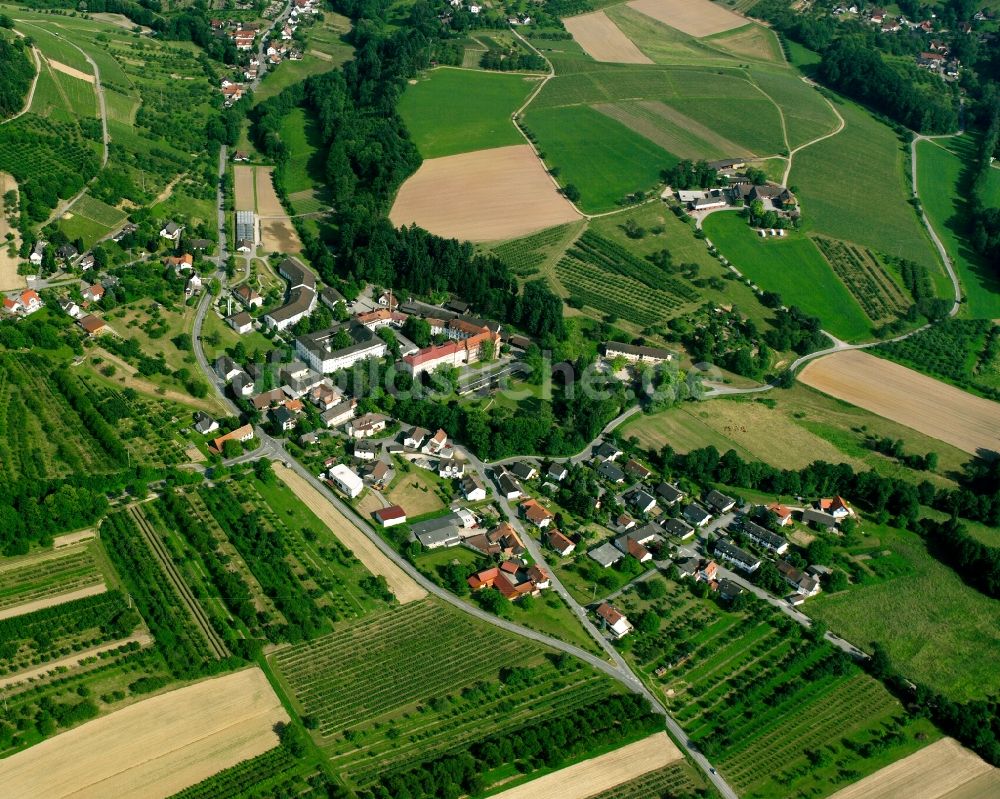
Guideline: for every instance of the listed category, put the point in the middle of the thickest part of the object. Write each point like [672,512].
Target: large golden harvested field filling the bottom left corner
[154,748]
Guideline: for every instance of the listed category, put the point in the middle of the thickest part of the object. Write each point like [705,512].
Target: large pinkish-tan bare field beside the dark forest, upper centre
[487,195]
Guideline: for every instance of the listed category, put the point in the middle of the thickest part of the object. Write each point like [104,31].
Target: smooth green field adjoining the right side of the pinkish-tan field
[601,157]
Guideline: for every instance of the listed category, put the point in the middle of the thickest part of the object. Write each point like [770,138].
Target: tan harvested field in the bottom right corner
[943,770]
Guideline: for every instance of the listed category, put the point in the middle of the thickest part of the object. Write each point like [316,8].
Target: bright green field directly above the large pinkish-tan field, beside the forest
[451,111]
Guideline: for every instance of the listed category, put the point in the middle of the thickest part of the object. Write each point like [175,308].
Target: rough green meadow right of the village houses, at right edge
[938,630]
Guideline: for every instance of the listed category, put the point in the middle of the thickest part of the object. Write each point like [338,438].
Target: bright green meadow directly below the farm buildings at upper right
[794,268]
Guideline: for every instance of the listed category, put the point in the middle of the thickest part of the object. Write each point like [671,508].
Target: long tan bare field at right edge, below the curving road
[908,397]
